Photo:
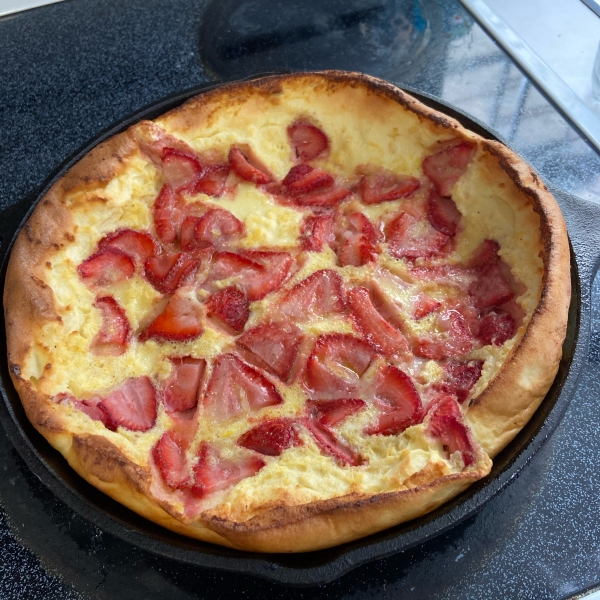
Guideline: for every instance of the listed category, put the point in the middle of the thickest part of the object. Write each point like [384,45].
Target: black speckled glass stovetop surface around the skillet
[70,70]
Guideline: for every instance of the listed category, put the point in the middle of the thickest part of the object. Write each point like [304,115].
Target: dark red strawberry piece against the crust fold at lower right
[445,423]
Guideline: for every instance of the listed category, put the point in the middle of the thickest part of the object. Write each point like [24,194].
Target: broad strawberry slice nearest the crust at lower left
[133,405]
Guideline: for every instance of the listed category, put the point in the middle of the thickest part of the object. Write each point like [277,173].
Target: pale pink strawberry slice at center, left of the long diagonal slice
[319,295]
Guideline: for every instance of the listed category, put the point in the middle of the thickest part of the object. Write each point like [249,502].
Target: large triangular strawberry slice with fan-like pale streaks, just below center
[236,388]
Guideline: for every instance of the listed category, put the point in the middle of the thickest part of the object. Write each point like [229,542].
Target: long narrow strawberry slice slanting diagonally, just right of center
[385,338]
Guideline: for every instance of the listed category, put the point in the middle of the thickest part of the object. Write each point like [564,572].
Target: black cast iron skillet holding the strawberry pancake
[583,220]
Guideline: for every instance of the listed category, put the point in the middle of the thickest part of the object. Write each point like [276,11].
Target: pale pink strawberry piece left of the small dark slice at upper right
[413,238]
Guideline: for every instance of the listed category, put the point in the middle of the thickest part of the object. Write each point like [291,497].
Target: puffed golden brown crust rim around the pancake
[495,416]
